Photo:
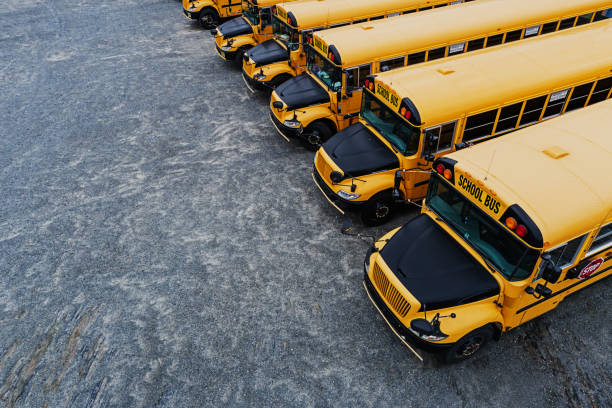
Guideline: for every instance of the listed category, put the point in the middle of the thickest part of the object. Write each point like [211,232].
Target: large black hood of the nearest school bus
[435,268]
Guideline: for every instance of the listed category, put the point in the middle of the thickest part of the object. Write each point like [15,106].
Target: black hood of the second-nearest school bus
[357,151]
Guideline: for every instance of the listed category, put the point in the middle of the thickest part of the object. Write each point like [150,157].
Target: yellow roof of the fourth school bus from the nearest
[318,13]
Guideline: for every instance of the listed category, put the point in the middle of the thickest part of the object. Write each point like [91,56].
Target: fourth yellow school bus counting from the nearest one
[281,58]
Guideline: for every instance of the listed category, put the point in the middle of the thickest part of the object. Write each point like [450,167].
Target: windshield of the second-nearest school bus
[401,134]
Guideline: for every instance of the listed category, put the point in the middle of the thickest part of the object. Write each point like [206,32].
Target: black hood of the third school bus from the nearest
[301,91]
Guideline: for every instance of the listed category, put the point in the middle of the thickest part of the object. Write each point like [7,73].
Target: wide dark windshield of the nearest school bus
[513,259]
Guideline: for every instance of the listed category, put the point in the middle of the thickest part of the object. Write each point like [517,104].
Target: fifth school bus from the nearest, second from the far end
[234,37]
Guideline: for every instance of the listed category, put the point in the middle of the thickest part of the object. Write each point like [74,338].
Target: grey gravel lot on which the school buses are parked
[160,245]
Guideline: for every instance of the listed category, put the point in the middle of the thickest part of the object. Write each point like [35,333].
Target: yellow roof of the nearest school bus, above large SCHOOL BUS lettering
[557,171]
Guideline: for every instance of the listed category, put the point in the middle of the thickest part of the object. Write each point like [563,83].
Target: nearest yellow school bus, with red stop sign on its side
[508,229]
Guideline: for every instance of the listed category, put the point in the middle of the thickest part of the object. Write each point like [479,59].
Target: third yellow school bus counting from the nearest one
[315,105]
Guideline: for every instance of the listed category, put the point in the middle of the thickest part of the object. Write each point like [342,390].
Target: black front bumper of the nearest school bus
[397,327]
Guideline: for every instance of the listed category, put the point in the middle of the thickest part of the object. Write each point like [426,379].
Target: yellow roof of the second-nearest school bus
[465,84]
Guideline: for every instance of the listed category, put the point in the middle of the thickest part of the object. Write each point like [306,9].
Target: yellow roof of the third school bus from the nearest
[383,39]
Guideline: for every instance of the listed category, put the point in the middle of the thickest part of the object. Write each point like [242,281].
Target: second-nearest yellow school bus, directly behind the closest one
[411,116]
